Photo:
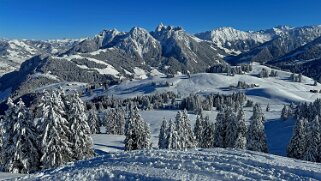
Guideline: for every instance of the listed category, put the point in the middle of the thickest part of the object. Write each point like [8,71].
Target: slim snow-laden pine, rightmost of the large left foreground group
[80,137]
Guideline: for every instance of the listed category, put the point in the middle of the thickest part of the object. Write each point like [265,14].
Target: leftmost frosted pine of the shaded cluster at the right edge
[298,143]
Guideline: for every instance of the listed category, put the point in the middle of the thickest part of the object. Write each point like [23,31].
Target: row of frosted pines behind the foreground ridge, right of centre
[229,131]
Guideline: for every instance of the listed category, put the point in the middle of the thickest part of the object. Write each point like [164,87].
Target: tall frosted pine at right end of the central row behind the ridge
[256,138]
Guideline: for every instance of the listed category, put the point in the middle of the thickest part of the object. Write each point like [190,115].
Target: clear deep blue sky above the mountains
[48,19]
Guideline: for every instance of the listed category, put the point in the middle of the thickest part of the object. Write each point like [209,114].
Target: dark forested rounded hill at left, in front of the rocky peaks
[44,70]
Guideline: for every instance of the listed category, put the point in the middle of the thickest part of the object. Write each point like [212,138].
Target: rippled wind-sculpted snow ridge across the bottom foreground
[211,164]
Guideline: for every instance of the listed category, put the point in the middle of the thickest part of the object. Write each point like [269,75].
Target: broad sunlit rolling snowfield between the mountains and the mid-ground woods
[274,89]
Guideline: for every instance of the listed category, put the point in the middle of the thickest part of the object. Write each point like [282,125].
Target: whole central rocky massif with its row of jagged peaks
[168,48]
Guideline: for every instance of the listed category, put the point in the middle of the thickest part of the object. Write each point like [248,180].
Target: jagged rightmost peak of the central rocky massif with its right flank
[187,51]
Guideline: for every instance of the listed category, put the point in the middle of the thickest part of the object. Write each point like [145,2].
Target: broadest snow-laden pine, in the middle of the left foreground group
[56,148]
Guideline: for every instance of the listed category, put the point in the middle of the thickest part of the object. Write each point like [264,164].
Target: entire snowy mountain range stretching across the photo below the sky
[113,55]
